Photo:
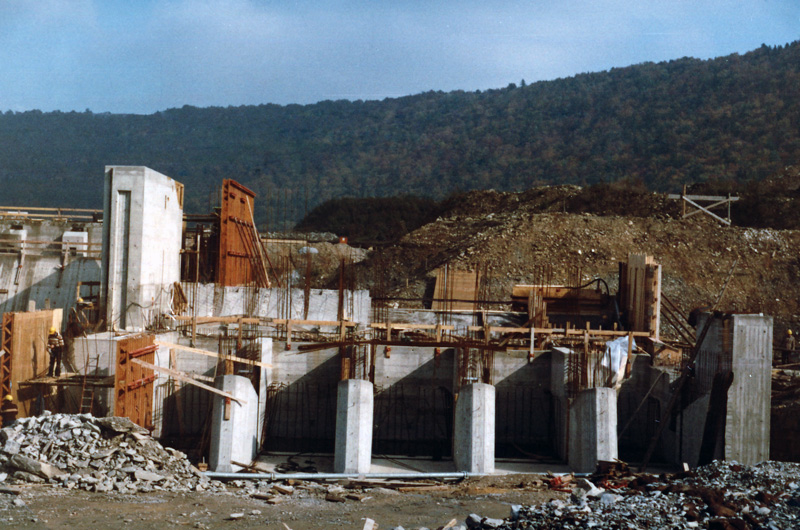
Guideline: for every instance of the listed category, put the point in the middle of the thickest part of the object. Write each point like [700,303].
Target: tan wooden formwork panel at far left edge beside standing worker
[25,357]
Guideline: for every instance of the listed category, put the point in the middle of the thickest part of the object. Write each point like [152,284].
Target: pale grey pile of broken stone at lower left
[94,454]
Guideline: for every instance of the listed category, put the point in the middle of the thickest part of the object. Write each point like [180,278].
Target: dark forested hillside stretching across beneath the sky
[666,124]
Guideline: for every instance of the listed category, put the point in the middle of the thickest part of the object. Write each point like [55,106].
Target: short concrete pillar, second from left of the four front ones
[354,410]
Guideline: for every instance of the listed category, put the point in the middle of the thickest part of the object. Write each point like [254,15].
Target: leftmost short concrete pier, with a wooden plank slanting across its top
[233,439]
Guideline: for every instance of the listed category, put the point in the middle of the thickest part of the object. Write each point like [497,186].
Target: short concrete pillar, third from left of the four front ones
[474,429]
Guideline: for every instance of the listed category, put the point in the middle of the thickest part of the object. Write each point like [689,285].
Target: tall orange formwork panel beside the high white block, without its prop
[235,251]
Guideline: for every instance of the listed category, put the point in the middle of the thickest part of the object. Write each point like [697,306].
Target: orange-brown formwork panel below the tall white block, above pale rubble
[133,384]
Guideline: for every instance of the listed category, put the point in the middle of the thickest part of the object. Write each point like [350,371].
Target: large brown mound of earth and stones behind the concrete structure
[510,235]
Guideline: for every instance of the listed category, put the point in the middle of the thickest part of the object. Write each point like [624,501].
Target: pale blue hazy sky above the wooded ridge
[141,56]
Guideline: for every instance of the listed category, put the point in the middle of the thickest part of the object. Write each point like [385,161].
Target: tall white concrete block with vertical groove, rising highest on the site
[141,245]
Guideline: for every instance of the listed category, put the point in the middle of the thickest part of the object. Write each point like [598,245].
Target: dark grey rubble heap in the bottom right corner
[722,495]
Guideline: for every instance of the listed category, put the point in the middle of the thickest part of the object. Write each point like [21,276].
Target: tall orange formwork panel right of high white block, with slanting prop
[242,260]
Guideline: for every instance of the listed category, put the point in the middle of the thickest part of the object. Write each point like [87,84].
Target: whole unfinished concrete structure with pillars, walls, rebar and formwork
[288,369]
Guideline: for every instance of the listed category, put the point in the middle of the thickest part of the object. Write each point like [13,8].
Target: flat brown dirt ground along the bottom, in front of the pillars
[54,507]
